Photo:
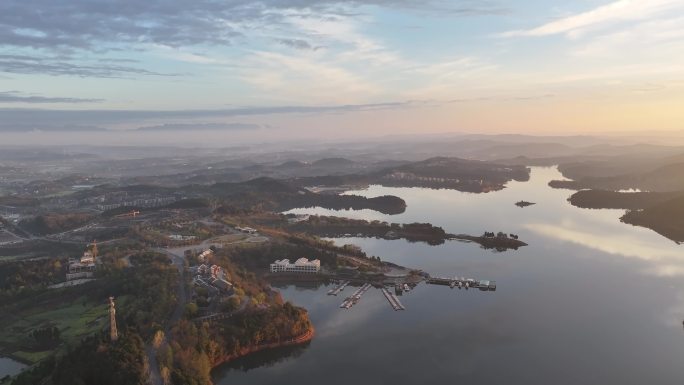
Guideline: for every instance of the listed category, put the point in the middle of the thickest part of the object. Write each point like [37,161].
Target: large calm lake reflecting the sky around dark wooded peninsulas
[589,301]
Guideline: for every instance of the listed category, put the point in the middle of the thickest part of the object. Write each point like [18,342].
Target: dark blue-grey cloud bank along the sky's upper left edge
[88,24]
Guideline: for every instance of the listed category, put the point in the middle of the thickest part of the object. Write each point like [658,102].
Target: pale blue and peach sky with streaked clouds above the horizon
[233,70]
